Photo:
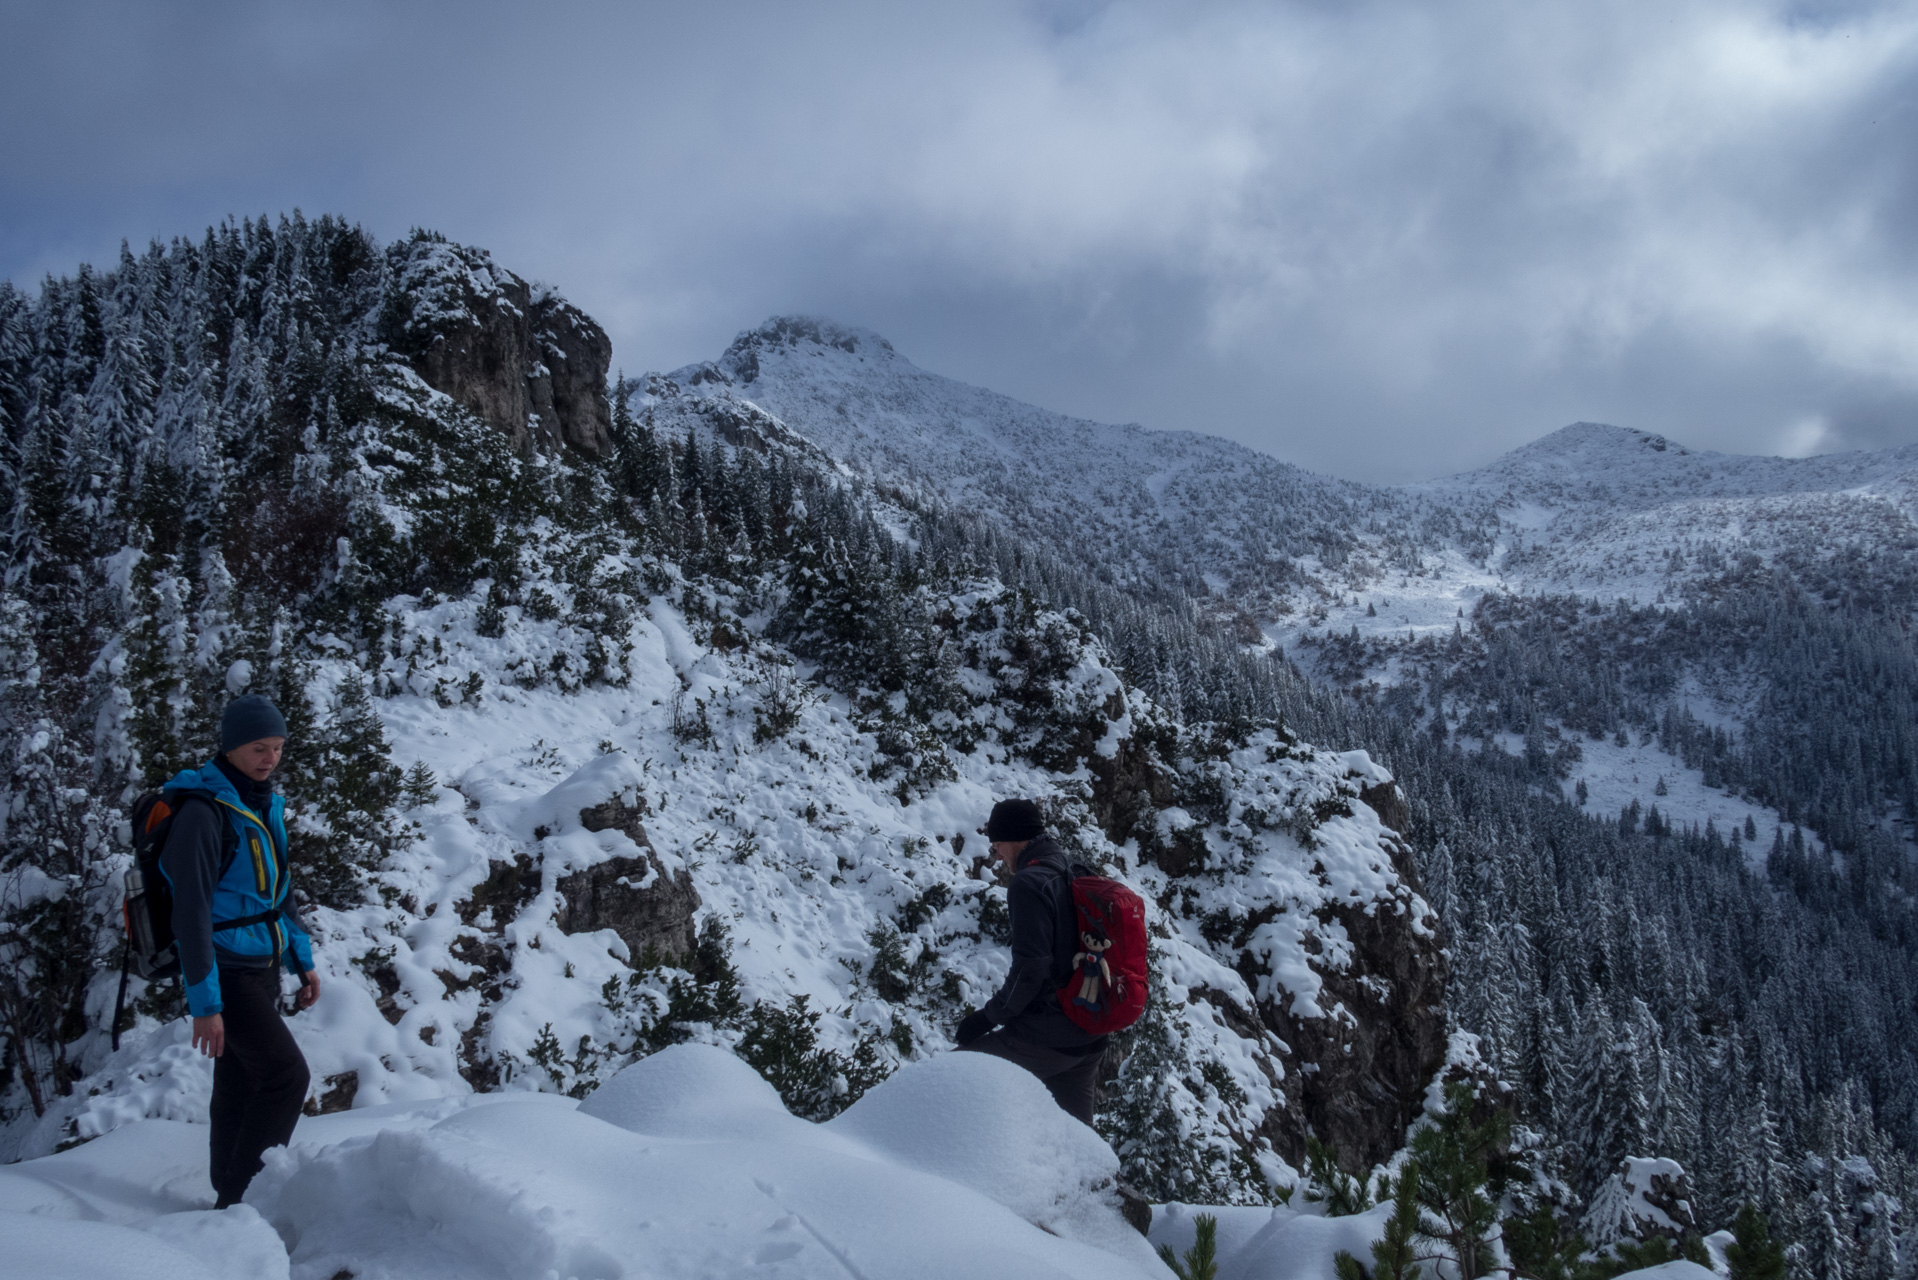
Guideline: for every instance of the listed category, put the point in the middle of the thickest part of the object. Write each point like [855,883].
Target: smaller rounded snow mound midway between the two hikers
[693,1091]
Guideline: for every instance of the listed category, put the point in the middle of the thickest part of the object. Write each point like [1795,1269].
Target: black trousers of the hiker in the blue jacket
[260,1081]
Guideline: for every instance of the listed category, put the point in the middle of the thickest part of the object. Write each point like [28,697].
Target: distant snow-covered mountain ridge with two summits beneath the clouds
[1591,510]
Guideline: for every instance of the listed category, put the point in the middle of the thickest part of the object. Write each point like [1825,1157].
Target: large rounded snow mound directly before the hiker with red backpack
[989,1126]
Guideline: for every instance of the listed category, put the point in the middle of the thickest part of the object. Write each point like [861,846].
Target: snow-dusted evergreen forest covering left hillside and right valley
[202,452]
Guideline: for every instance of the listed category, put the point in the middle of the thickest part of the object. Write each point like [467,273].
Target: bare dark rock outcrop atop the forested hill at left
[519,356]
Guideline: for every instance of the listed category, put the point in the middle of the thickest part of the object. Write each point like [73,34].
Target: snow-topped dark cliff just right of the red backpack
[1359,1031]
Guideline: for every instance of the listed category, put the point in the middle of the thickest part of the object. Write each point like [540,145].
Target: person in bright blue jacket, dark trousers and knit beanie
[237,924]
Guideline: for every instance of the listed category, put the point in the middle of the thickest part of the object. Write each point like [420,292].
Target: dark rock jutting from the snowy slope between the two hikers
[609,895]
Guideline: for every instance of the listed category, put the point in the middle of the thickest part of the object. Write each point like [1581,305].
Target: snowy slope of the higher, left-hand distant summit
[1136,504]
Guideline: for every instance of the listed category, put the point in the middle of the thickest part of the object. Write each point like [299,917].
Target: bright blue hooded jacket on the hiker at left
[256,884]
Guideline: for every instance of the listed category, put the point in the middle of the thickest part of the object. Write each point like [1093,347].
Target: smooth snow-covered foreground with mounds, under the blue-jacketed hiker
[682,1166]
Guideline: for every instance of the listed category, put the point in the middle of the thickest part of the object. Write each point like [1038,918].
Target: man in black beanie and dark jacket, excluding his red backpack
[1033,1030]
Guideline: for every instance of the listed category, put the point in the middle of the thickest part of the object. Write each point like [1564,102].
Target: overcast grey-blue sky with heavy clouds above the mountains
[1384,241]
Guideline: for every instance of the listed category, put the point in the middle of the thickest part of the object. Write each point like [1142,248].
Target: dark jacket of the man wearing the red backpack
[1044,943]
